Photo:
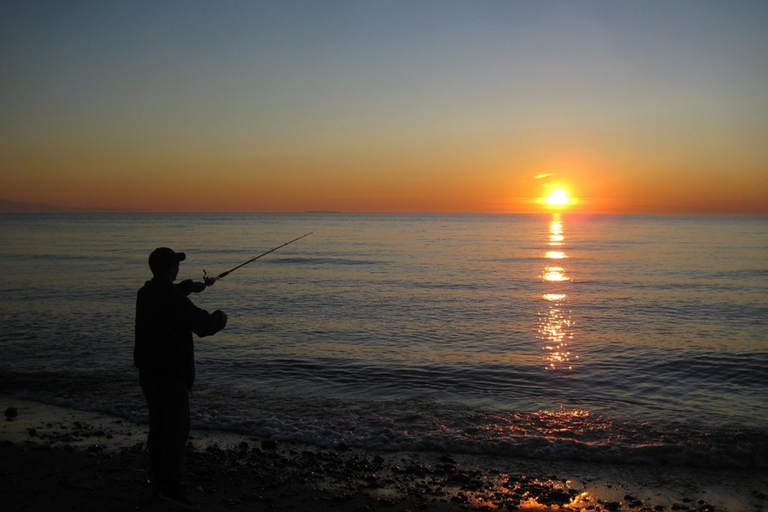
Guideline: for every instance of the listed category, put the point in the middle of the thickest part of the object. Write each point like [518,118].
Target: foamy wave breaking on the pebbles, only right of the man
[537,435]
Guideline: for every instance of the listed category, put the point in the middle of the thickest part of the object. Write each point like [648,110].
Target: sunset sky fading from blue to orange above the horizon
[386,106]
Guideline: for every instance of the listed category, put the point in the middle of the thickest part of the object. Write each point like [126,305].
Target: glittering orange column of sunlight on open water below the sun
[555,325]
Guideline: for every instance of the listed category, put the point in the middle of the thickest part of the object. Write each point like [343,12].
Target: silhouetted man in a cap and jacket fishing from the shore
[164,354]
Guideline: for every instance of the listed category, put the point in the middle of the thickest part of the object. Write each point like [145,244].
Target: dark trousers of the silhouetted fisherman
[168,402]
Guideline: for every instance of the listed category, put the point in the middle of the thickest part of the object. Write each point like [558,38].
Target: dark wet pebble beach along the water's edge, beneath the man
[66,459]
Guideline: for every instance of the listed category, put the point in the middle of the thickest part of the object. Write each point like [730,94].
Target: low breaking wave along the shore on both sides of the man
[423,423]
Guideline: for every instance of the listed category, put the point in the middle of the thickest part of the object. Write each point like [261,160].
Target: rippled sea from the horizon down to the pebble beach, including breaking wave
[632,339]
